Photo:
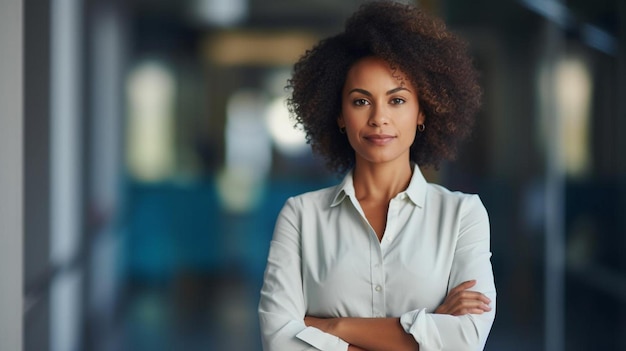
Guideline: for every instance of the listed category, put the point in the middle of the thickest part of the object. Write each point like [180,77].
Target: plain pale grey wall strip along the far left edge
[11,174]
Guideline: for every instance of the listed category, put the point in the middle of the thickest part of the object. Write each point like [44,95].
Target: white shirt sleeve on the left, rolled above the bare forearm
[282,306]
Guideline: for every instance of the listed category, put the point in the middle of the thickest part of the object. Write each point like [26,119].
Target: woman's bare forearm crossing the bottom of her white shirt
[372,334]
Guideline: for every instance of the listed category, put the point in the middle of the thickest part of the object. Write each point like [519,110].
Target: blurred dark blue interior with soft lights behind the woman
[158,152]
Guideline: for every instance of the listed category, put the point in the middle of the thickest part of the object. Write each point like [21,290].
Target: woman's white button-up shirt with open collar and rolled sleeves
[325,260]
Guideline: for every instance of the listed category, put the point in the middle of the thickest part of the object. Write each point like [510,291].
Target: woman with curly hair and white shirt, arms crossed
[384,260]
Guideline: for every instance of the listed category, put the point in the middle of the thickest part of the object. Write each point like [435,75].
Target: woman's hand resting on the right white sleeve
[461,301]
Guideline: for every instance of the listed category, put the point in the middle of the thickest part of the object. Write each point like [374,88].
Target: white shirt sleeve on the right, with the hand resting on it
[440,332]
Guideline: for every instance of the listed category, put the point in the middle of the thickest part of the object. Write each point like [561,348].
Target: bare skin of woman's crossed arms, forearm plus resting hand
[381,334]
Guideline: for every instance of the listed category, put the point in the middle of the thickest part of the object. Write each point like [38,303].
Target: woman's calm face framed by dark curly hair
[380,112]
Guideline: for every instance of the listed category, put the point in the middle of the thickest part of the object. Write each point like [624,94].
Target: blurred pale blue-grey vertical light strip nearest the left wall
[65,296]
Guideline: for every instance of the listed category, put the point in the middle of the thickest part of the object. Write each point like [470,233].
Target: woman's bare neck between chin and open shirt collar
[381,181]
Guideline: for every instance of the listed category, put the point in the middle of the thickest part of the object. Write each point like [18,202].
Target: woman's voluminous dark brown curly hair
[409,40]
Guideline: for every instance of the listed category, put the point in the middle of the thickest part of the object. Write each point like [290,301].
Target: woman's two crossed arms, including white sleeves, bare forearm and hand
[456,324]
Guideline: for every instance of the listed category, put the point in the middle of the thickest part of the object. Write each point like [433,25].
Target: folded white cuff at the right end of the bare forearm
[420,324]
